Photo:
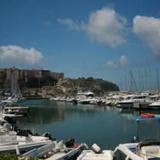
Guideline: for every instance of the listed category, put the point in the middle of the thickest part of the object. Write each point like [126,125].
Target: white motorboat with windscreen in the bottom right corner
[148,150]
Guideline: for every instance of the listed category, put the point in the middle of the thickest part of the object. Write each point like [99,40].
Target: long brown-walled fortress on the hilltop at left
[27,77]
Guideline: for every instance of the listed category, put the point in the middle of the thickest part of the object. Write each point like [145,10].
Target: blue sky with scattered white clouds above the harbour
[116,40]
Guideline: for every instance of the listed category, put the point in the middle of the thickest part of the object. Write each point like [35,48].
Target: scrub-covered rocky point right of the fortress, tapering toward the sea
[69,87]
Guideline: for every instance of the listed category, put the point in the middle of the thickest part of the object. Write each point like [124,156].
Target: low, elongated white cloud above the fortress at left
[18,55]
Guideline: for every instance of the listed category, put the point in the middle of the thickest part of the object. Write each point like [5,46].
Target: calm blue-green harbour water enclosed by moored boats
[86,123]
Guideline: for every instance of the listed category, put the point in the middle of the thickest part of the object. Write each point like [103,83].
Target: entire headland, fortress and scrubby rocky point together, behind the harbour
[34,82]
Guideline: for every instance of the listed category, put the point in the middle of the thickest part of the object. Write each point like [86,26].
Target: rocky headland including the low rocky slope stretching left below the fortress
[70,87]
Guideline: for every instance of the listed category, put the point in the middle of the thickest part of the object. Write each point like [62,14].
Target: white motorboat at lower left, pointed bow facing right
[10,142]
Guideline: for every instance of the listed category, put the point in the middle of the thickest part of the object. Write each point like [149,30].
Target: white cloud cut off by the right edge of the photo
[148,29]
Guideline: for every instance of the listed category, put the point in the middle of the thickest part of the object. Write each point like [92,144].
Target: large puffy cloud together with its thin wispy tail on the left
[104,25]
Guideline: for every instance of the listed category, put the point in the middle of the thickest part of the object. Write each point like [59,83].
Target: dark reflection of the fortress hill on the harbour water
[51,112]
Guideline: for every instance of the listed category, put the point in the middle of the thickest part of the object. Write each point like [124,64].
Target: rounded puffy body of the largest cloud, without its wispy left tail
[106,26]
